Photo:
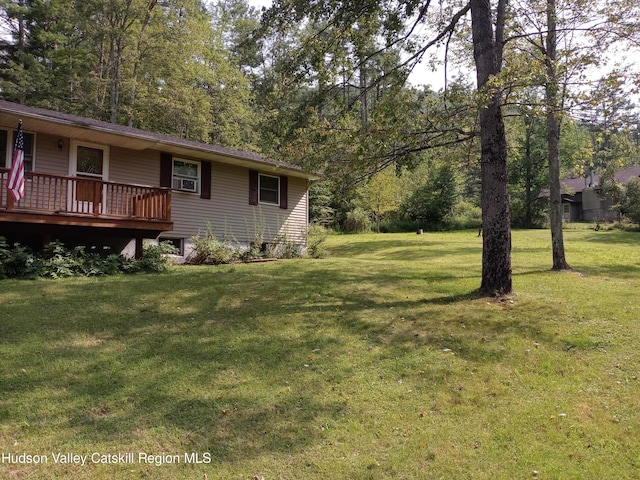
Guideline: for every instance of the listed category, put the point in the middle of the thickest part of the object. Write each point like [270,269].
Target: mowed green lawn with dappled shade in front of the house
[376,362]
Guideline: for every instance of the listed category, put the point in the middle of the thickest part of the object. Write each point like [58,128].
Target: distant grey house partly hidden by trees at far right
[582,201]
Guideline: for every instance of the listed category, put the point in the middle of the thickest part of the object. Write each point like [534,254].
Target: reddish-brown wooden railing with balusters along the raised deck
[63,195]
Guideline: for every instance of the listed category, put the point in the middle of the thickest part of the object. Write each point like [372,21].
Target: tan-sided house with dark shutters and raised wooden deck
[109,187]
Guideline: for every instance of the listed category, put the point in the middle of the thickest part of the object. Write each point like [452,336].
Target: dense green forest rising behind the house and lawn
[328,85]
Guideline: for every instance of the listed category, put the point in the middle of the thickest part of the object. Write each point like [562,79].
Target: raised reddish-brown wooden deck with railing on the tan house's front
[75,201]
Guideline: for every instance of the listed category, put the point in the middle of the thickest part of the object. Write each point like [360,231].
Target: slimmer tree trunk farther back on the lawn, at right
[553,141]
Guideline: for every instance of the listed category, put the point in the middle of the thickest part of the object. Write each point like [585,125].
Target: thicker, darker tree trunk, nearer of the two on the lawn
[496,221]
